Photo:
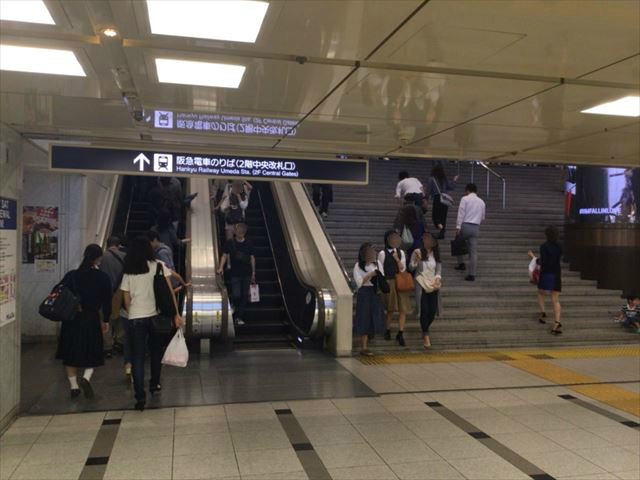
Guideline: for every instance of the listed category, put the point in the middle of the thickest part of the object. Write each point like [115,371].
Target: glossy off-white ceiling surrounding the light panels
[485,80]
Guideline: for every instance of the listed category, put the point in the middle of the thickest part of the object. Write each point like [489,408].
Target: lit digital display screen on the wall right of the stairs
[602,194]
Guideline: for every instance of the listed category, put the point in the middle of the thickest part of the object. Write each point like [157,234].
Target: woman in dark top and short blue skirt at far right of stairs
[550,277]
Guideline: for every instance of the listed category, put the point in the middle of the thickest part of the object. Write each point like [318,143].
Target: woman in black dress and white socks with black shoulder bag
[80,342]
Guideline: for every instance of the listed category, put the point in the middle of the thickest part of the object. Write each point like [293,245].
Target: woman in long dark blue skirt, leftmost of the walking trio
[368,305]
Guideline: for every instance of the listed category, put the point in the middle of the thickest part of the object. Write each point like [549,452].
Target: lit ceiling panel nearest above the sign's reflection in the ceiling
[199,73]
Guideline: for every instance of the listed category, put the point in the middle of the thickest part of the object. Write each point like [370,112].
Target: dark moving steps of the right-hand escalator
[266,323]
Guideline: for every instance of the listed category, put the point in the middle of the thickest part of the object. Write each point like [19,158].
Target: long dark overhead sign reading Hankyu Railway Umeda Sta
[176,163]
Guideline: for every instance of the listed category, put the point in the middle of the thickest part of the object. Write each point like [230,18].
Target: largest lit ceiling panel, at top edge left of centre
[233,20]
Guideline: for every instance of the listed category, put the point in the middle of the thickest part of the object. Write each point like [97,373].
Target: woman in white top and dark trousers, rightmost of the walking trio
[425,261]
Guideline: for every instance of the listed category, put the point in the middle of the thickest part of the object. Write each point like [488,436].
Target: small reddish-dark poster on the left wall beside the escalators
[39,234]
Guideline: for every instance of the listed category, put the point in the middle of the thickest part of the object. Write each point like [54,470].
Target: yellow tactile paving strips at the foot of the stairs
[612,395]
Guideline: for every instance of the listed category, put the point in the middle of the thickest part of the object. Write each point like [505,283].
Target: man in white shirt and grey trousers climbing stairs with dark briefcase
[471,214]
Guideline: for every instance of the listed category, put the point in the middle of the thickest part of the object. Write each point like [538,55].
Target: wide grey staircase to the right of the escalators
[499,309]
